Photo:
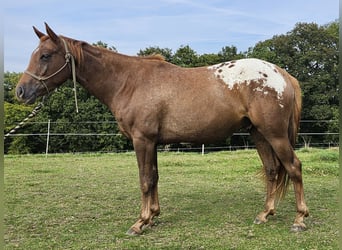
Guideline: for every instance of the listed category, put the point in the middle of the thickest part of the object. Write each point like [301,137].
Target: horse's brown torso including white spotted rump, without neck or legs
[210,103]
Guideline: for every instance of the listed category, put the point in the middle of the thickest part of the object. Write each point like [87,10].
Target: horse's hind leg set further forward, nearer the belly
[271,167]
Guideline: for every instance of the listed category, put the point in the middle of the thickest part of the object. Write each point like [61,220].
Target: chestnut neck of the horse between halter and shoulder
[101,73]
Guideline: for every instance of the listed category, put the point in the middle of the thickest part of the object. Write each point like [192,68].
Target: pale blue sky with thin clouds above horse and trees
[130,25]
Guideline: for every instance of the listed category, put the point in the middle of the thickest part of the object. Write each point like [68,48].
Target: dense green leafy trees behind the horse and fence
[309,52]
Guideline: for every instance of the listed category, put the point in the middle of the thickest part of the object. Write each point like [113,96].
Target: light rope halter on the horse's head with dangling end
[68,56]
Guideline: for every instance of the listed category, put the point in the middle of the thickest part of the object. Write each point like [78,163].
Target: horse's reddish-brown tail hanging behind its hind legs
[283,178]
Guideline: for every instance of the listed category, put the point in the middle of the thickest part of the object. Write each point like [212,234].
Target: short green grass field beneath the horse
[89,201]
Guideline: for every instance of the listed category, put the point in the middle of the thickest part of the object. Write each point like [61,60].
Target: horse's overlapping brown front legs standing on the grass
[146,152]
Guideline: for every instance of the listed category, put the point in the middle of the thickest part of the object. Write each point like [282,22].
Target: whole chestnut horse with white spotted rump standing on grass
[155,103]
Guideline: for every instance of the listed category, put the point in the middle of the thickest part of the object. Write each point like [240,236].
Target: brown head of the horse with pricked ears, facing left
[48,67]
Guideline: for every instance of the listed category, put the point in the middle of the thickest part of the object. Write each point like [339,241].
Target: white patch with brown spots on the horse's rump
[244,71]
